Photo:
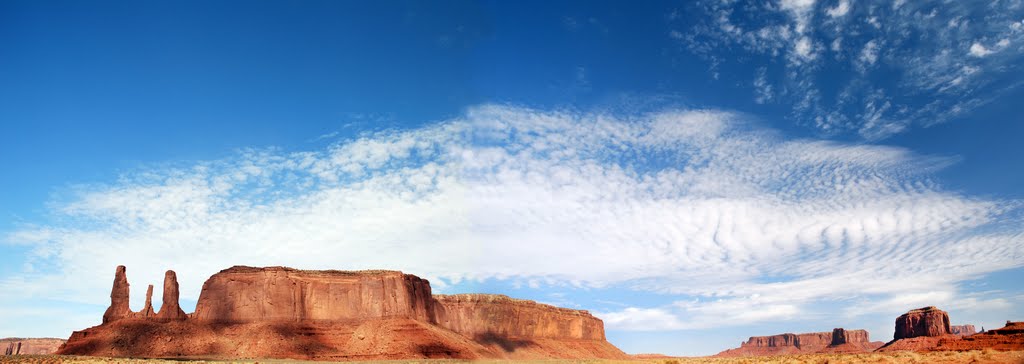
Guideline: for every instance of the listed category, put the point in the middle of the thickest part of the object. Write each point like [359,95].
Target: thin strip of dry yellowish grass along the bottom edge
[987,356]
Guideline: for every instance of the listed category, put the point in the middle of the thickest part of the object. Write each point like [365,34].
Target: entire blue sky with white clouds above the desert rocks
[694,174]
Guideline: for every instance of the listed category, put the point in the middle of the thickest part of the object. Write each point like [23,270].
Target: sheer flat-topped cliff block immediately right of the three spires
[277,294]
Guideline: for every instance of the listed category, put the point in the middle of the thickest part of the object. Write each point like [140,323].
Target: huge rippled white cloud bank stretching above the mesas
[741,224]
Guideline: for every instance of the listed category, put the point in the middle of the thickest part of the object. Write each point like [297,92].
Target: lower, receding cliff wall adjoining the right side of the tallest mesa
[480,315]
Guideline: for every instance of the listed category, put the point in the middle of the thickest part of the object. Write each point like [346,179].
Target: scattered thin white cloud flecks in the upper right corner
[874,68]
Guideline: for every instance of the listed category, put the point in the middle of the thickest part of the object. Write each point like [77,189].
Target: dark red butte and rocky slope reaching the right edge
[928,330]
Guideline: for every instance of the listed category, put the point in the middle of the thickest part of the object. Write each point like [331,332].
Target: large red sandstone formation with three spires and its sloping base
[278,312]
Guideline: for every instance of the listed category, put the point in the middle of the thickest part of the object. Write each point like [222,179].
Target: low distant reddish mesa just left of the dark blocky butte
[839,341]
